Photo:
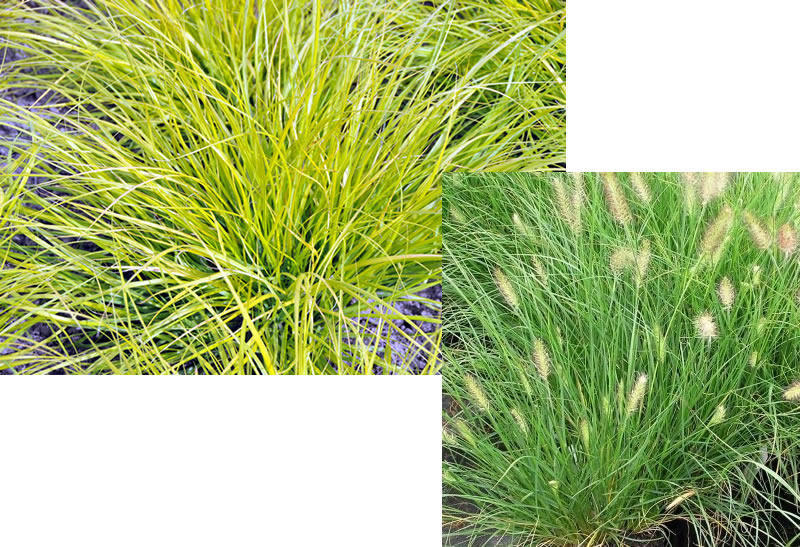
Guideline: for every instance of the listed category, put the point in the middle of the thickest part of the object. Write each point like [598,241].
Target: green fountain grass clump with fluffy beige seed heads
[622,350]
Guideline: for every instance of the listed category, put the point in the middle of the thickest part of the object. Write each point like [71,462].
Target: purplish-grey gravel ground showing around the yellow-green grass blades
[411,354]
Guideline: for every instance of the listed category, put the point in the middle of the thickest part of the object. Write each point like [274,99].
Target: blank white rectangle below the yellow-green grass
[230,461]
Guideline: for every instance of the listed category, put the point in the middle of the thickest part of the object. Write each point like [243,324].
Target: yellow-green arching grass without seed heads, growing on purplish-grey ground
[235,181]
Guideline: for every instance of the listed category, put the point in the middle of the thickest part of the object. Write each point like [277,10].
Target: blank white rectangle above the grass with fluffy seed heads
[683,85]
